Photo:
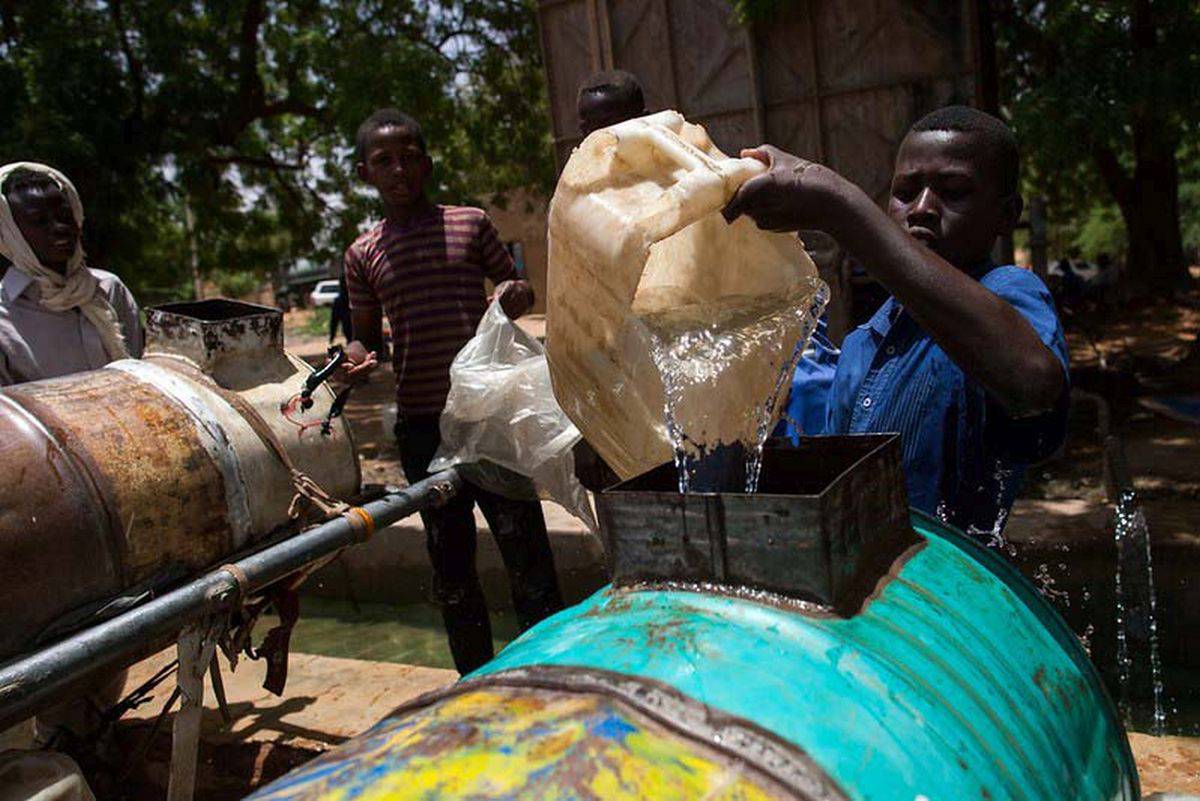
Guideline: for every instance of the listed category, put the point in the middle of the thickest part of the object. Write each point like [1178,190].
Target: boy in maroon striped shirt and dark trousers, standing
[424,267]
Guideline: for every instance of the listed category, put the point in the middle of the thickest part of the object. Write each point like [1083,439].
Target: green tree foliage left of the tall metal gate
[248,110]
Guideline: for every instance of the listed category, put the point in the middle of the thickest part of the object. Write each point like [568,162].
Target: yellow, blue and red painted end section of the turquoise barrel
[509,743]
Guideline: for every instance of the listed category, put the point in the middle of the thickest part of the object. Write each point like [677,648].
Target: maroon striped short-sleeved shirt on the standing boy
[428,276]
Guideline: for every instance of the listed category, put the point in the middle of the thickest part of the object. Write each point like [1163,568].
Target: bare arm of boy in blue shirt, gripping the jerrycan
[985,335]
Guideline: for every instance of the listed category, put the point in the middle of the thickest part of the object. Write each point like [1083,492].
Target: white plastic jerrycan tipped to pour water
[640,257]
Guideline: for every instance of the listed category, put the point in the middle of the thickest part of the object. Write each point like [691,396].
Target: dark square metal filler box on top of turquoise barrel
[829,521]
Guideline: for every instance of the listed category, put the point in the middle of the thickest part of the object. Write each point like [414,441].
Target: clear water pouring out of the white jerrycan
[693,359]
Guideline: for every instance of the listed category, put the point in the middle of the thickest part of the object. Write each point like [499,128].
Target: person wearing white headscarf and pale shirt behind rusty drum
[58,316]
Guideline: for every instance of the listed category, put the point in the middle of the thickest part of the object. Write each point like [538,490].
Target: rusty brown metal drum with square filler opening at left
[148,471]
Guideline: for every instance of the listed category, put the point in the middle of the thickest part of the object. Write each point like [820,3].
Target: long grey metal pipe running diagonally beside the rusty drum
[44,677]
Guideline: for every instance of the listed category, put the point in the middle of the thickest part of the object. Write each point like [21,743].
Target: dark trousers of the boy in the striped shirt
[520,532]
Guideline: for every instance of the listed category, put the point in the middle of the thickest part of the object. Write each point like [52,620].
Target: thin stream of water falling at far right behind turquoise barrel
[1137,605]
